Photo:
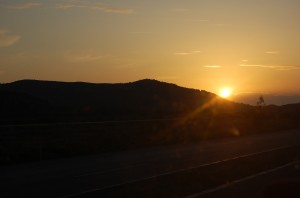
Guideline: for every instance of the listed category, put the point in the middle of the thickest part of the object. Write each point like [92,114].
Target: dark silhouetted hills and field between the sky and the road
[45,119]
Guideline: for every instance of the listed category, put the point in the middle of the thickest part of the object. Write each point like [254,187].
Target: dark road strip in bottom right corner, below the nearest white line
[283,181]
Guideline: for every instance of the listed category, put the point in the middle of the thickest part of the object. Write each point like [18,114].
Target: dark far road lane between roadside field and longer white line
[92,175]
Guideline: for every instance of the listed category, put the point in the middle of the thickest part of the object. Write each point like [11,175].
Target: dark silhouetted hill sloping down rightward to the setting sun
[86,101]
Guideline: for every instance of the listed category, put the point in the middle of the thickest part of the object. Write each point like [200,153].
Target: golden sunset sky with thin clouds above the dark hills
[251,46]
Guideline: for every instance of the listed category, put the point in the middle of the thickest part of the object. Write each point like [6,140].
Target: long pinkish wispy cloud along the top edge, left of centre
[94,6]
